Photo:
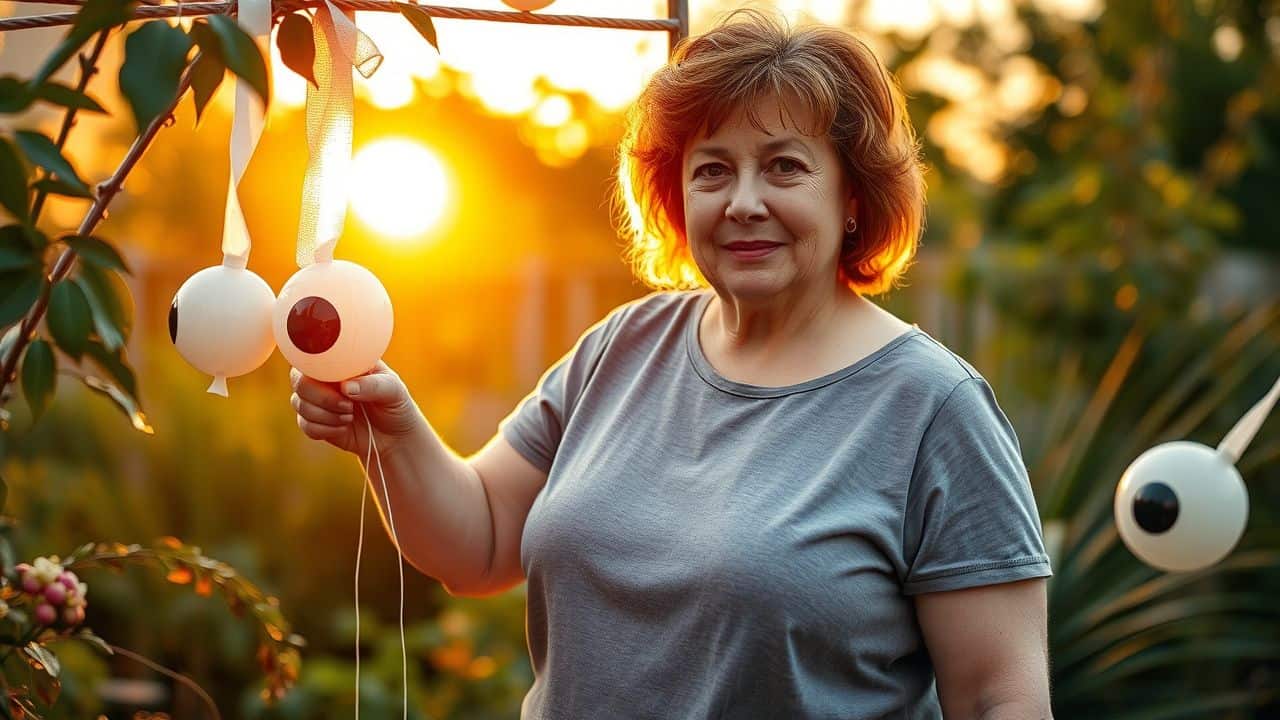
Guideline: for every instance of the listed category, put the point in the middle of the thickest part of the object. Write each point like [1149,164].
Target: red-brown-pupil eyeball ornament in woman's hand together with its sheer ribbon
[333,318]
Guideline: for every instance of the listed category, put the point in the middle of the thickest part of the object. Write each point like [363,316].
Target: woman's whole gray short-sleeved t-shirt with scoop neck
[710,549]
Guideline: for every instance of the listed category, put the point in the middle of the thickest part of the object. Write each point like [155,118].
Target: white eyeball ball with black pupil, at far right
[1181,507]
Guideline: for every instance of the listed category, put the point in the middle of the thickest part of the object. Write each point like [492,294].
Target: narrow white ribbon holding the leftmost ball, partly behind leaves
[250,120]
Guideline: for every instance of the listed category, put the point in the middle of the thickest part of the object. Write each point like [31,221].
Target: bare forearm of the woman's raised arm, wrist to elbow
[438,508]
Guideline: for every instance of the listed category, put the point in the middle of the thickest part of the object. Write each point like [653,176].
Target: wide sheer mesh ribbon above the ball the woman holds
[326,189]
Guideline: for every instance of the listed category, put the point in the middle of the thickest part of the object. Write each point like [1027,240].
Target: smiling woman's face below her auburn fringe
[765,212]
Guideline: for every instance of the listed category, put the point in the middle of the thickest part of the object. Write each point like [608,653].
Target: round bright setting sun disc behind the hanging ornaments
[400,189]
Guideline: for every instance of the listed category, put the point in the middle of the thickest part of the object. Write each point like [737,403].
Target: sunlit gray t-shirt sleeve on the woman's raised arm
[536,427]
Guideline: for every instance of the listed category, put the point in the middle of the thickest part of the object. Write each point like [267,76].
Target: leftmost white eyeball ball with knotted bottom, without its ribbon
[221,322]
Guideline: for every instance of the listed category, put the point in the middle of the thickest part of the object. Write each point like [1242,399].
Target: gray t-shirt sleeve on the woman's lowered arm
[971,516]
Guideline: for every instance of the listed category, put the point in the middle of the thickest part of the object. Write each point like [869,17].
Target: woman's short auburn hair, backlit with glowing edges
[748,58]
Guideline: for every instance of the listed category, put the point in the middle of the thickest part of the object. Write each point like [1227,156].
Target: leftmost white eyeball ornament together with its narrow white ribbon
[221,318]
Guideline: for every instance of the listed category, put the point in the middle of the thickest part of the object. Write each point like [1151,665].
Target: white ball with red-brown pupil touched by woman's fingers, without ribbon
[333,321]
